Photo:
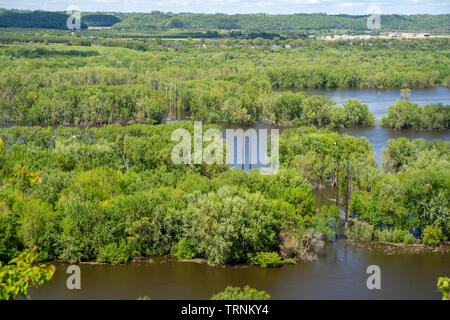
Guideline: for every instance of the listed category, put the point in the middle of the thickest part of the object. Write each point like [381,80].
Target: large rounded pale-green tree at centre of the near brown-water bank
[226,225]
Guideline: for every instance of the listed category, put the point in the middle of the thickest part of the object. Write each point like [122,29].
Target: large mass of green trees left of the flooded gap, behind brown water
[112,193]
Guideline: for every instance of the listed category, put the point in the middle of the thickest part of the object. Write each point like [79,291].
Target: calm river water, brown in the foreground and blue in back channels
[339,272]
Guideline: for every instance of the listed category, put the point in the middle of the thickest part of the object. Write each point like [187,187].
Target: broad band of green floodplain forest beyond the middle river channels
[225,81]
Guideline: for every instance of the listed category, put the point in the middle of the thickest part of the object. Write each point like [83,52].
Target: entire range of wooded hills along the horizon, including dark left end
[249,22]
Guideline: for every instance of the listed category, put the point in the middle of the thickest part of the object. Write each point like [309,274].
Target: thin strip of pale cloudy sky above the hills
[239,6]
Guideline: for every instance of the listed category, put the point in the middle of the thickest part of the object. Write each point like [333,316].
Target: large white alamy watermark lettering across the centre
[209,147]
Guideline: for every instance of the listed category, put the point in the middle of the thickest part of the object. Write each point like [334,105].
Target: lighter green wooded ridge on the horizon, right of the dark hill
[266,22]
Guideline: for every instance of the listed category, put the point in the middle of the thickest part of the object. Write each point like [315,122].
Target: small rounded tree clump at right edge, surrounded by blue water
[405,115]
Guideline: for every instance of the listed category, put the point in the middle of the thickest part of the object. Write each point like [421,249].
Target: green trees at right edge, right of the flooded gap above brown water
[411,194]
